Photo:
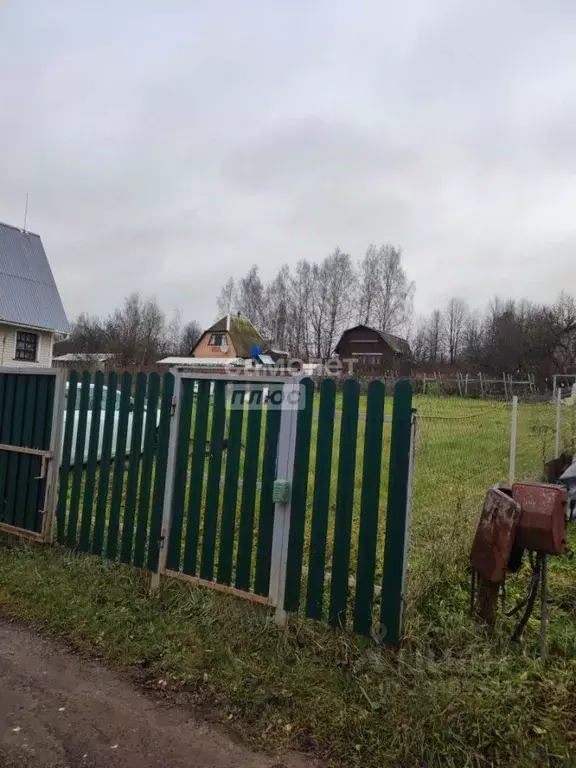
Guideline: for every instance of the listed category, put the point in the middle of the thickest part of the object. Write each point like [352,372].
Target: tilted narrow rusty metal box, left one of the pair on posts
[495,535]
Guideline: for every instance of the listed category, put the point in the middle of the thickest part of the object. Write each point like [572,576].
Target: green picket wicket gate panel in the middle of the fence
[222,509]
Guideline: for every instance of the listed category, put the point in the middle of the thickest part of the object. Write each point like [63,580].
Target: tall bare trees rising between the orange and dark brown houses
[305,308]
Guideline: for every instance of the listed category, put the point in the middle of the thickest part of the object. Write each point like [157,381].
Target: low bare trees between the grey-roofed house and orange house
[137,334]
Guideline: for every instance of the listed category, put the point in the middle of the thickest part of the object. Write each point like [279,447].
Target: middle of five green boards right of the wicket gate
[344,504]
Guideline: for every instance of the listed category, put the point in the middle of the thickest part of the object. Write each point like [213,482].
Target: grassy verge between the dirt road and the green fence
[450,697]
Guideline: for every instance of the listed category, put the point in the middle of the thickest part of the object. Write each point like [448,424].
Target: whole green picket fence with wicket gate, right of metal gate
[345,556]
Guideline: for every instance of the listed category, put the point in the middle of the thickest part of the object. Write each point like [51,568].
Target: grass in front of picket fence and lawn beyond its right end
[451,696]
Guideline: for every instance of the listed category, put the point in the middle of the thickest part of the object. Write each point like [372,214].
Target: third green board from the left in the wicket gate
[213,484]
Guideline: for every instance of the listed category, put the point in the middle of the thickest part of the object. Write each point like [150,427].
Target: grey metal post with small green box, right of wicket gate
[284,471]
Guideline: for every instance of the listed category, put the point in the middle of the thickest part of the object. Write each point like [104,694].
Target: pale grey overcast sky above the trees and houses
[166,146]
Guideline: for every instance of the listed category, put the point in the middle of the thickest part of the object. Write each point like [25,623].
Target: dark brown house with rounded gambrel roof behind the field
[376,350]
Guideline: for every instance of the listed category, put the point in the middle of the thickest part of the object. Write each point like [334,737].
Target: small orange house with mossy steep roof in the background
[231,339]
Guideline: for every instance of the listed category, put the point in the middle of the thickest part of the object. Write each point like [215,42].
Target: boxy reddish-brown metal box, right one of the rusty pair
[542,526]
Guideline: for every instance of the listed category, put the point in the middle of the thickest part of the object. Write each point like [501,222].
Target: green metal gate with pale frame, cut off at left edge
[29,445]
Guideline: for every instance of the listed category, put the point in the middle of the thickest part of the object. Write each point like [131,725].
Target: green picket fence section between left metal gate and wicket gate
[113,465]
